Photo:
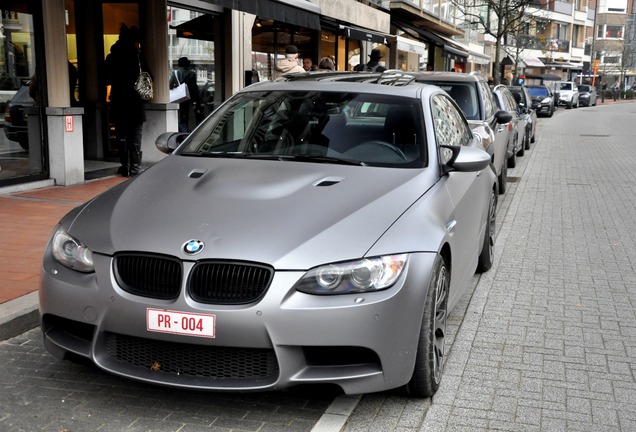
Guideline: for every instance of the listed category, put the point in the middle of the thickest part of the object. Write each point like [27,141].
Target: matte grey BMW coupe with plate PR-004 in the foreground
[308,231]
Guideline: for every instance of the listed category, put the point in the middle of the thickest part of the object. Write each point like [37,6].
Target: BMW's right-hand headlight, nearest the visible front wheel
[366,275]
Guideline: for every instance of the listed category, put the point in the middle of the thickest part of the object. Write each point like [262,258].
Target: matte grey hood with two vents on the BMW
[291,215]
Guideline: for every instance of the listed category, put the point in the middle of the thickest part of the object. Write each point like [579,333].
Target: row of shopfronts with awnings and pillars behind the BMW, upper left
[53,90]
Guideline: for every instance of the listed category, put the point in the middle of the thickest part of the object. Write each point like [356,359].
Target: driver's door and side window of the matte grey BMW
[468,191]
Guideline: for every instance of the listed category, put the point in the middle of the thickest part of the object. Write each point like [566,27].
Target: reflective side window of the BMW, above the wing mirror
[450,126]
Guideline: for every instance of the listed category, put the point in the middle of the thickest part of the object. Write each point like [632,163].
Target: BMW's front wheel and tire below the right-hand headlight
[429,357]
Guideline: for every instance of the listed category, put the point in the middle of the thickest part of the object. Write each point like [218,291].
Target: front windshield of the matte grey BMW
[324,127]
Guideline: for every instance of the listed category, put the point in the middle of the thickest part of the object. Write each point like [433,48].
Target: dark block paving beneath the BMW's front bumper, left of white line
[42,393]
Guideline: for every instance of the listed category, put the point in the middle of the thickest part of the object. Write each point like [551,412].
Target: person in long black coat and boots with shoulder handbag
[123,68]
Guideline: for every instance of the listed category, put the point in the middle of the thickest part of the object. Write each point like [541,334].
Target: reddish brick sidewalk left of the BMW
[27,220]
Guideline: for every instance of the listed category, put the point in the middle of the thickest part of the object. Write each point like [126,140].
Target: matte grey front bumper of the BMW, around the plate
[360,342]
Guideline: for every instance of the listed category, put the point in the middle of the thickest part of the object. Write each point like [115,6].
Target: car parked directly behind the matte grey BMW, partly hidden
[474,97]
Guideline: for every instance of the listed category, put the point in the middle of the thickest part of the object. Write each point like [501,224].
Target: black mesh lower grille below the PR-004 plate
[218,363]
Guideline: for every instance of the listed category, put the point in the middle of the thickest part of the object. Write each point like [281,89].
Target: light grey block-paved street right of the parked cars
[548,341]
